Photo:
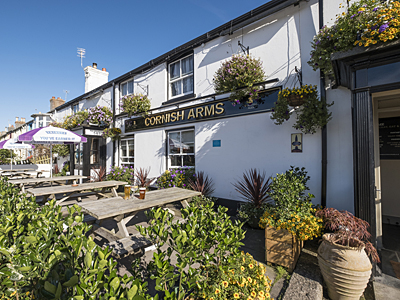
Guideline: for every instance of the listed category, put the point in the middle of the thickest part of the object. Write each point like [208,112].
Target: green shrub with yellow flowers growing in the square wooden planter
[292,210]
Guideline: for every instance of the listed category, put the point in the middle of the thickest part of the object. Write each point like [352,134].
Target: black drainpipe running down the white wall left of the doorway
[324,130]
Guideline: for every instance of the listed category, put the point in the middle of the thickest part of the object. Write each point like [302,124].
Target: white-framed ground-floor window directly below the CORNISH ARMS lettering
[181,148]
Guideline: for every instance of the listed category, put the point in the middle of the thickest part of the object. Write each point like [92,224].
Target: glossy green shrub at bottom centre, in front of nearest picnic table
[206,238]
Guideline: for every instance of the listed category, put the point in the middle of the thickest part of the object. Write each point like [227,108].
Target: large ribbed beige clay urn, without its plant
[346,270]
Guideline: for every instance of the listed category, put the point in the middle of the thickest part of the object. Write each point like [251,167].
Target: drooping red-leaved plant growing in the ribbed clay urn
[348,230]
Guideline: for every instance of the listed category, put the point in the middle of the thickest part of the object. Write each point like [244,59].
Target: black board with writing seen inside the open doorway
[389,138]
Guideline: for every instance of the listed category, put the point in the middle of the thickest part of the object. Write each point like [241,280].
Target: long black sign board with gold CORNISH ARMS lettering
[210,110]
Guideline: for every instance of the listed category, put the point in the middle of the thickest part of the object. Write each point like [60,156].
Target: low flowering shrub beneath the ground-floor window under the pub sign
[176,178]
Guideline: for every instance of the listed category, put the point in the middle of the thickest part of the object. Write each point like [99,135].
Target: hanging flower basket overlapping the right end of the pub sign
[311,112]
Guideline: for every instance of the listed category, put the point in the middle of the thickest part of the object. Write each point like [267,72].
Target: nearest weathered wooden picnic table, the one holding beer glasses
[122,211]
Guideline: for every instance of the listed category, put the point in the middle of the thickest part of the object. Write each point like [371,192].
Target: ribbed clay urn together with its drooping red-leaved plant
[343,254]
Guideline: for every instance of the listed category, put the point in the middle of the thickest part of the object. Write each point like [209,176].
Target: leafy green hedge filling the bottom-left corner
[44,255]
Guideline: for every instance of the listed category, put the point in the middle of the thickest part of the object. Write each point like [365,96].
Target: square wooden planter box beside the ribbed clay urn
[282,248]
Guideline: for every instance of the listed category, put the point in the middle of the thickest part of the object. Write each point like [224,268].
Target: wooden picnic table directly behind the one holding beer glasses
[71,190]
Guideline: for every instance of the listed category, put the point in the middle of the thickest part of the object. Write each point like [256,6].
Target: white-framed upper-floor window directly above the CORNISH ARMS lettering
[181,77]
